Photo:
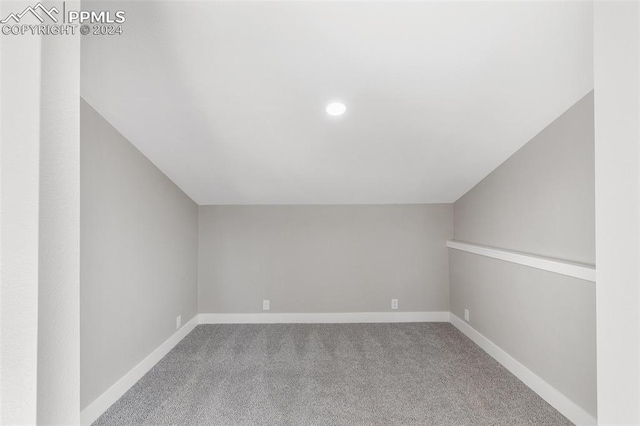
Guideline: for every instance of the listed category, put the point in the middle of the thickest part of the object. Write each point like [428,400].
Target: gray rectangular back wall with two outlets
[324,258]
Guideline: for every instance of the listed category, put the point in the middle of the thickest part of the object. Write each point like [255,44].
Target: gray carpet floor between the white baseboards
[329,374]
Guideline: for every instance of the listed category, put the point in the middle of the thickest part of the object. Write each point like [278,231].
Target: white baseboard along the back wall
[323,318]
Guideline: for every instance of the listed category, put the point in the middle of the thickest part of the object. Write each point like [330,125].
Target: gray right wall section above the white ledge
[541,200]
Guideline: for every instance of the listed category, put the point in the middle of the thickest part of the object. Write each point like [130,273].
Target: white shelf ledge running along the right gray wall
[576,270]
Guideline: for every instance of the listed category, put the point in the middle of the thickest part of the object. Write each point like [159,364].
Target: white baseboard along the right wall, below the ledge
[555,398]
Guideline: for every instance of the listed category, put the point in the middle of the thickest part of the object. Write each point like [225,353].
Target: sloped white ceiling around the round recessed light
[227,98]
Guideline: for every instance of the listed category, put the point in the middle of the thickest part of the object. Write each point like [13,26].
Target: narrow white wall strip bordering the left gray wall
[59,232]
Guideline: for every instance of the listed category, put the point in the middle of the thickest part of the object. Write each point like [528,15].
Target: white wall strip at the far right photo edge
[617,125]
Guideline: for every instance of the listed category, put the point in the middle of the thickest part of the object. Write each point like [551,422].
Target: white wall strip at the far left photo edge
[19,198]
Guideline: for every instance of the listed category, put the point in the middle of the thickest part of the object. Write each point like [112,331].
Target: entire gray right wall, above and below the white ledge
[540,201]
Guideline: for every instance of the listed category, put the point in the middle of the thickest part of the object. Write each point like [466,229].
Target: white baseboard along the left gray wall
[111,395]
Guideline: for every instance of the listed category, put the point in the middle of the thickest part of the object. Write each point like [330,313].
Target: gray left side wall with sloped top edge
[139,241]
